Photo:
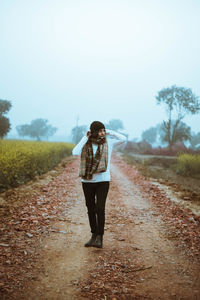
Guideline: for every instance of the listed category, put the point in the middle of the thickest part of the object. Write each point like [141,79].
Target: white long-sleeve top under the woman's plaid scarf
[112,138]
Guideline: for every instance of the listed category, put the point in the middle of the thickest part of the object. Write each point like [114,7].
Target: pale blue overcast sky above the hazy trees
[99,60]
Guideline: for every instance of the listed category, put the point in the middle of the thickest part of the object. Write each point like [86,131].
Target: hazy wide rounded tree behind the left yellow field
[37,129]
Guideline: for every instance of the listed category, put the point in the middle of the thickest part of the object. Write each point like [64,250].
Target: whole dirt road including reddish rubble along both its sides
[150,248]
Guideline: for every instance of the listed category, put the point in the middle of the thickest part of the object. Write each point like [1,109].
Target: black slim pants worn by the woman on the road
[95,197]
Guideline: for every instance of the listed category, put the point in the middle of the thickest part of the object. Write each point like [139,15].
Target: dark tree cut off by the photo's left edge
[5,126]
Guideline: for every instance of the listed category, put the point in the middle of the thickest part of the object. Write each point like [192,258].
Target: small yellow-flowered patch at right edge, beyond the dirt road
[189,164]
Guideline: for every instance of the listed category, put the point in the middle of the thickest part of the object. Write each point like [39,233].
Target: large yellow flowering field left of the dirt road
[21,160]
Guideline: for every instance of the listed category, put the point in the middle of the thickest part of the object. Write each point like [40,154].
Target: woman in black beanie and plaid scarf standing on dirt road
[95,149]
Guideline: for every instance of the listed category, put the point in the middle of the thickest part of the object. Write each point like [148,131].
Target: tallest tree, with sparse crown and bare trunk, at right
[179,101]
